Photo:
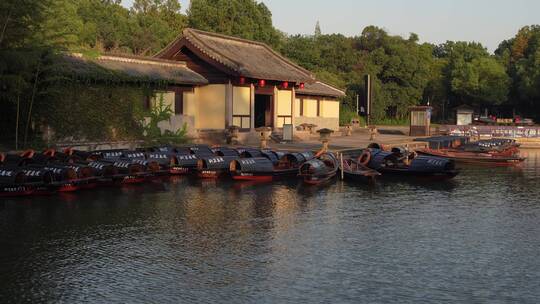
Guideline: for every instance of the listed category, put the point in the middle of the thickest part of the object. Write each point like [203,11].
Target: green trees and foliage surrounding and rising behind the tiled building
[404,71]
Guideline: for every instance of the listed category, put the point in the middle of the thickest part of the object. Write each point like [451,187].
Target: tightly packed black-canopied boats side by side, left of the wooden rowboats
[31,173]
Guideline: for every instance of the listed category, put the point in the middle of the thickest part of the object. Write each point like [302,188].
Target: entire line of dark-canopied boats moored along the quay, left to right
[51,171]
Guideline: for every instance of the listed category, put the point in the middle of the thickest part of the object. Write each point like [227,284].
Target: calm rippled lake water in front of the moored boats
[474,239]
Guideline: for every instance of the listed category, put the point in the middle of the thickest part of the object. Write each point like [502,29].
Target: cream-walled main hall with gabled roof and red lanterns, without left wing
[249,85]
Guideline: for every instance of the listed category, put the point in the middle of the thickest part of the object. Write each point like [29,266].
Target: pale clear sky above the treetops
[485,21]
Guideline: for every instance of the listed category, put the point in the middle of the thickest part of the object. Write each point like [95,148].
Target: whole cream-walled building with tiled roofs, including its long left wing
[213,81]
